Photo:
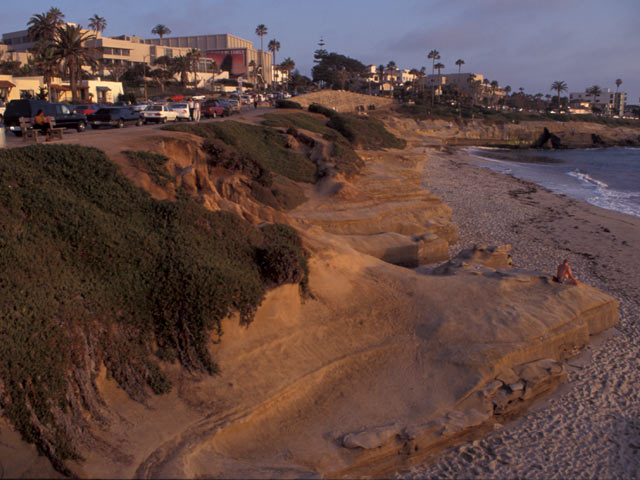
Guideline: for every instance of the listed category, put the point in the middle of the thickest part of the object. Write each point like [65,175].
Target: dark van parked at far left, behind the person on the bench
[61,112]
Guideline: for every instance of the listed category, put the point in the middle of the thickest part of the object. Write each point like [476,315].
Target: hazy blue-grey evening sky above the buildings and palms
[521,43]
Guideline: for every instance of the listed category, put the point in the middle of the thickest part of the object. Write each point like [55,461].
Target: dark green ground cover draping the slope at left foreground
[95,272]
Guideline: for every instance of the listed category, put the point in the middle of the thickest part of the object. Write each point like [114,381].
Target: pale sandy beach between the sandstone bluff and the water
[590,428]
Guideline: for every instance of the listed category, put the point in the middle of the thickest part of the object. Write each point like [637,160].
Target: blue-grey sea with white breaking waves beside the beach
[605,177]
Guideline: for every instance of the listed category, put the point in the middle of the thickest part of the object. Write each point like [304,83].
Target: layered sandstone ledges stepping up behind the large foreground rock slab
[385,213]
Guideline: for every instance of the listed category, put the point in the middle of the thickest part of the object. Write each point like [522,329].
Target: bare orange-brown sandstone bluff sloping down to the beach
[380,368]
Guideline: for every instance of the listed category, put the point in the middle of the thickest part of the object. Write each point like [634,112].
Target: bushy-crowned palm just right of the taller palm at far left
[70,51]
